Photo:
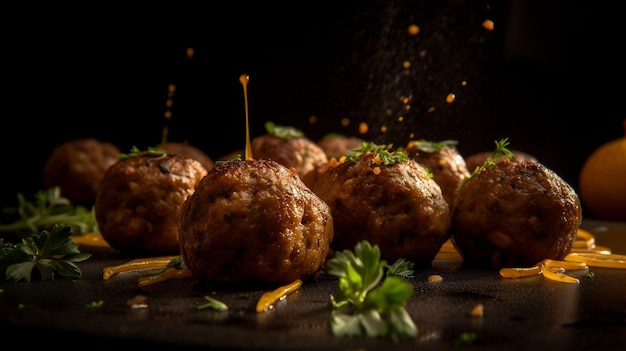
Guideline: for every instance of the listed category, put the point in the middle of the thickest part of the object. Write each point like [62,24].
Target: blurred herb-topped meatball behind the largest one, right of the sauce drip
[289,147]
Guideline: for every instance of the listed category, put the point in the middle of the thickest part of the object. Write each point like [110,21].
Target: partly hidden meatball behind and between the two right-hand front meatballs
[444,161]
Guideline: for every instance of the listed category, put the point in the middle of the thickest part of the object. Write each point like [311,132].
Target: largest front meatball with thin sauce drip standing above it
[254,221]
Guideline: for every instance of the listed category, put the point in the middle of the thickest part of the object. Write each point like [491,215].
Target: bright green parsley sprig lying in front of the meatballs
[364,306]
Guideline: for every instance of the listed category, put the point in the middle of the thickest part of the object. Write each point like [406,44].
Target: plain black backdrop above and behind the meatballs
[547,76]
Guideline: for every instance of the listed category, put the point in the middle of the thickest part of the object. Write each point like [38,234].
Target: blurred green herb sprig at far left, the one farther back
[47,210]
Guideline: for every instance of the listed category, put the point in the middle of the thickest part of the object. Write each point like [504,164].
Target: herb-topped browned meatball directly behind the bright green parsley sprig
[401,209]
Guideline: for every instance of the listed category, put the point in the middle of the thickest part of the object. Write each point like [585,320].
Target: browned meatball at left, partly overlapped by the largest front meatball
[139,200]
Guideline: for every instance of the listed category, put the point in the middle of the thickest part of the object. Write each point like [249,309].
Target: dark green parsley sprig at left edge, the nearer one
[53,252]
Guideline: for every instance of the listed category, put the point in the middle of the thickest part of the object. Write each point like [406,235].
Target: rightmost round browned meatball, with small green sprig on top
[514,214]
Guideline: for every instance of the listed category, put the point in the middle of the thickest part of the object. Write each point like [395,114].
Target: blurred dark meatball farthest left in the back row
[77,167]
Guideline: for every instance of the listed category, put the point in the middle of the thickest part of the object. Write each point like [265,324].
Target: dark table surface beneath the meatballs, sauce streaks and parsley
[528,313]
